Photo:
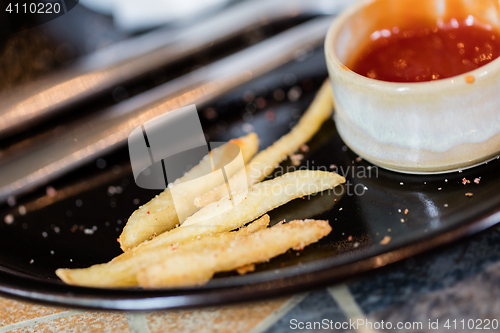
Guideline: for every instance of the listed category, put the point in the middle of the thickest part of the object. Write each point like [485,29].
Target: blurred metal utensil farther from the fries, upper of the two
[124,61]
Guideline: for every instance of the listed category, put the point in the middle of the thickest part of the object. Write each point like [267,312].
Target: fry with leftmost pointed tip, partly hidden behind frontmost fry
[121,271]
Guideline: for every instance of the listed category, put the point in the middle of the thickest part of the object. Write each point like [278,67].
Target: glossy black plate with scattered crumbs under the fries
[75,222]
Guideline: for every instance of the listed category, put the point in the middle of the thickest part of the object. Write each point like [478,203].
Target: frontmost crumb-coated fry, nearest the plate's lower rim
[196,268]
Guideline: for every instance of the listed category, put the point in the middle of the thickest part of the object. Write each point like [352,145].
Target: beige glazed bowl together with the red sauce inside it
[438,124]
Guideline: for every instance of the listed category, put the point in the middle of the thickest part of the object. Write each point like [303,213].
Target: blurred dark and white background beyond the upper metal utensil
[30,47]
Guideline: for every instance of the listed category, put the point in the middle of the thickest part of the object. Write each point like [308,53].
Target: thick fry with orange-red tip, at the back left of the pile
[160,215]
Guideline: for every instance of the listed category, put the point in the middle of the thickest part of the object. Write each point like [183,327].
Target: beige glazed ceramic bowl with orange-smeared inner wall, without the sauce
[425,127]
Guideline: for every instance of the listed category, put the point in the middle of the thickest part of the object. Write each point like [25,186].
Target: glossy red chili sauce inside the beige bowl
[427,53]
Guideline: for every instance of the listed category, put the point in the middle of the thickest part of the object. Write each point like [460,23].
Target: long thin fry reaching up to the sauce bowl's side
[264,163]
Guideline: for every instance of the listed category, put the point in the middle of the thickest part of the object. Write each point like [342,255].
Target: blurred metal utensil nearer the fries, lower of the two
[103,132]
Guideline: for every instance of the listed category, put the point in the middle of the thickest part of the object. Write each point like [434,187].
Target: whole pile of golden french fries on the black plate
[209,229]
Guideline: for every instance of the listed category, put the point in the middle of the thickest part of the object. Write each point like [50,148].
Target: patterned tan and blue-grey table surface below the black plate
[458,282]
